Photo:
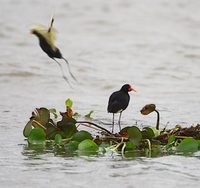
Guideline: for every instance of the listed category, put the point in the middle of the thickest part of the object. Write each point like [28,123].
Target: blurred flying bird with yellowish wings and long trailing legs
[47,39]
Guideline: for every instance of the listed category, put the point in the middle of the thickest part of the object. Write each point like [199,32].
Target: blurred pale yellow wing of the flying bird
[49,34]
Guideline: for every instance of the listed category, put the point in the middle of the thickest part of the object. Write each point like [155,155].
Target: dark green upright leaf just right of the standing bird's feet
[134,135]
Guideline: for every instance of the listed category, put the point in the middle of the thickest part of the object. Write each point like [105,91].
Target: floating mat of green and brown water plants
[78,137]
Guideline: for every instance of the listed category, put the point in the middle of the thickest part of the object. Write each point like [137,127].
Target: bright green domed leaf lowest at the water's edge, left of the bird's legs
[88,147]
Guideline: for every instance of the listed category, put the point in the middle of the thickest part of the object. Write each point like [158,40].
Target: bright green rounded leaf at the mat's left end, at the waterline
[37,136]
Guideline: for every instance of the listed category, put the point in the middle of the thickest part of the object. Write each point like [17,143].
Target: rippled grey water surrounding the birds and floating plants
[153,45]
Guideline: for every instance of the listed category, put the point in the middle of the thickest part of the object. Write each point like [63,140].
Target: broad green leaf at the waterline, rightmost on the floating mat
[188,145]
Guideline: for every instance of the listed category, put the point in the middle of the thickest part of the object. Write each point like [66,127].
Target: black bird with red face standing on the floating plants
[119,101]
